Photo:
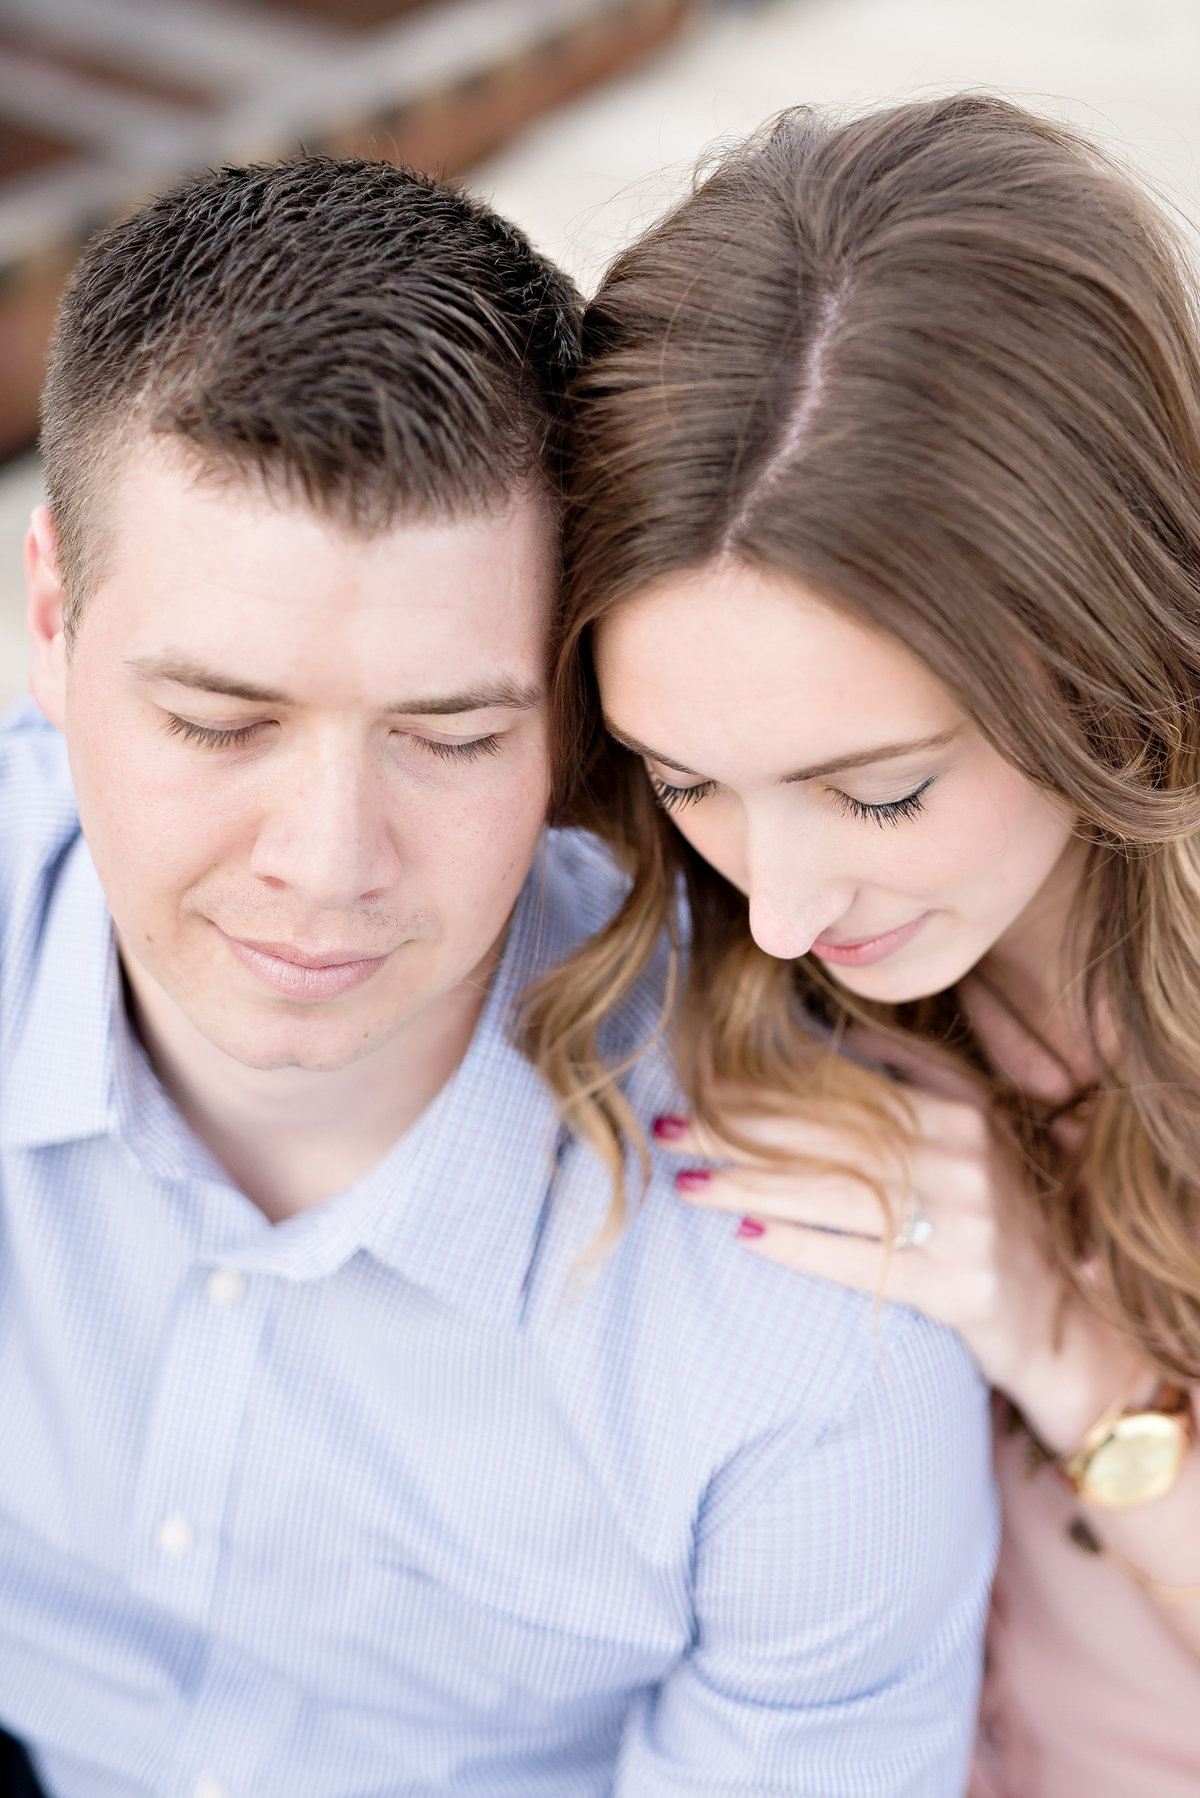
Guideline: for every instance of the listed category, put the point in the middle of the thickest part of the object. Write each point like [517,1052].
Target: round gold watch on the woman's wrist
[1134,1457]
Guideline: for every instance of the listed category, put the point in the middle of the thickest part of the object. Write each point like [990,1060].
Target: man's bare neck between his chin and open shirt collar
[291,1137]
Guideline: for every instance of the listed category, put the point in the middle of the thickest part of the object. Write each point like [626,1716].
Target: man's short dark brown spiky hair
[357,335]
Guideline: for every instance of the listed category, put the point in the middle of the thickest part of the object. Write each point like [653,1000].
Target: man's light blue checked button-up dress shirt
[391,1499]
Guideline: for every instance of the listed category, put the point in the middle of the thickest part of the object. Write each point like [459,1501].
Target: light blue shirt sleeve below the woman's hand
[841,1592]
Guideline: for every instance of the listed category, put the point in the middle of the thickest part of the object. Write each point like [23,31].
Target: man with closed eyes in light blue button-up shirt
[323,1472]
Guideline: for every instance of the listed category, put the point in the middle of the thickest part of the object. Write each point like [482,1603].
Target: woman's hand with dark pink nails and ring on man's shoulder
[980,1268]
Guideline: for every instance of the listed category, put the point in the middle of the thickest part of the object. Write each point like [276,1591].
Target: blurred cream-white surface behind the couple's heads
[587,177]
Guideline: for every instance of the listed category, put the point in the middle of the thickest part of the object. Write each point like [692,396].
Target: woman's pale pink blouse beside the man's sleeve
[1088,1695]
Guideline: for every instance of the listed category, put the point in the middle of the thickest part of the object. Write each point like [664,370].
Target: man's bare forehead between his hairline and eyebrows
[210,565]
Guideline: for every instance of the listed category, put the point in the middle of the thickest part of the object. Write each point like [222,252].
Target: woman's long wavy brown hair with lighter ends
[940,366]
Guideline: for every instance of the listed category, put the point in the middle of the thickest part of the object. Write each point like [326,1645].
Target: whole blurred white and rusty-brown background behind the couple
[577,118]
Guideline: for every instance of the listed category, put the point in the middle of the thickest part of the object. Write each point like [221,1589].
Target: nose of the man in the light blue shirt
[327,832]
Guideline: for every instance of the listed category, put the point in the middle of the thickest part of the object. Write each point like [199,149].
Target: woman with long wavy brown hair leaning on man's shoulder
[884,551]
